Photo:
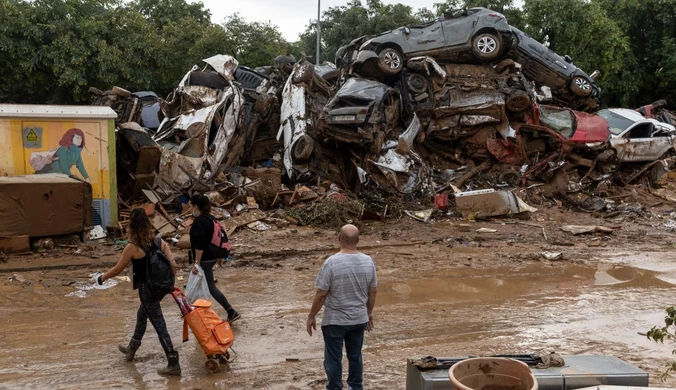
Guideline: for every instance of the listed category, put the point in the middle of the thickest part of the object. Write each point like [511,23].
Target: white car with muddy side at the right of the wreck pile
[636,138]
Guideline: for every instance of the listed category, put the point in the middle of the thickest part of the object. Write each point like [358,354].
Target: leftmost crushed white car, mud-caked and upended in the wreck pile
[201,117]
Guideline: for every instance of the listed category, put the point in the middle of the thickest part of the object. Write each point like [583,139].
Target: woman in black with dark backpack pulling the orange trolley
[142,246]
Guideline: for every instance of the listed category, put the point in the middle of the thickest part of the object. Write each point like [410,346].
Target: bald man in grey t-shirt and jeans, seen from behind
[346,287]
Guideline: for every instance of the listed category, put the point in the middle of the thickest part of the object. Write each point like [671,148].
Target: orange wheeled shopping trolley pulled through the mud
[213,334]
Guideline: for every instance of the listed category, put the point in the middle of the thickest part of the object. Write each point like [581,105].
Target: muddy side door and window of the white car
[637,144]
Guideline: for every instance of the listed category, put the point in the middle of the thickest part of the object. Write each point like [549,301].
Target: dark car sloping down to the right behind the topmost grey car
[568,83]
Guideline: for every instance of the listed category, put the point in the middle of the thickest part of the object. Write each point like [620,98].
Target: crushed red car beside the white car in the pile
[575,126]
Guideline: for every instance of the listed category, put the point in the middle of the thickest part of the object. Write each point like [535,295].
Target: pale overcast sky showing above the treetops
[291,16]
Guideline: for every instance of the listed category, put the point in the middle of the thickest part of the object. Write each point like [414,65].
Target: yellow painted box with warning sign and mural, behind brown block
[73,140]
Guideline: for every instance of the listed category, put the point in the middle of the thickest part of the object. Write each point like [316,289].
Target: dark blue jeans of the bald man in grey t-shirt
[334,336]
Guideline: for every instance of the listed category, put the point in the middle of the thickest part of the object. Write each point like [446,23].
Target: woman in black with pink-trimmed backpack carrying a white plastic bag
[201,234]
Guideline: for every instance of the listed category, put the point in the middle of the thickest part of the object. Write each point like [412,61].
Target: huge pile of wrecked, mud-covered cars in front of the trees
[464,101]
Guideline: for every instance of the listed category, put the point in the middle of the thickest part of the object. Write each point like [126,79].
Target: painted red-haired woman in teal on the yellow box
[62,159]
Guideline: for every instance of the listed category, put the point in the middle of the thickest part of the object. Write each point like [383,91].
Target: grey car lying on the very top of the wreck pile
[475,33]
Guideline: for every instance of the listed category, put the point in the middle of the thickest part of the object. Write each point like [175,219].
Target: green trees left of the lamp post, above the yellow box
[52,51]
